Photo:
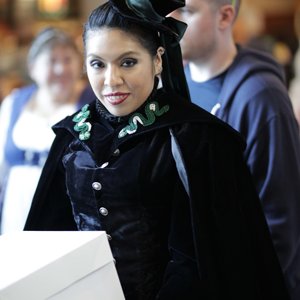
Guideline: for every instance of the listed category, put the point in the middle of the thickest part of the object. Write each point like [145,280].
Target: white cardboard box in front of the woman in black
[56,265]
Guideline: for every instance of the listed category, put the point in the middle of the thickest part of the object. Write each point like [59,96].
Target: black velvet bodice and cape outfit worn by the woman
[209,243]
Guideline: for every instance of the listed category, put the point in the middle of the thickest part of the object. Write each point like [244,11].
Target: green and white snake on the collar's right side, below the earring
[151,110]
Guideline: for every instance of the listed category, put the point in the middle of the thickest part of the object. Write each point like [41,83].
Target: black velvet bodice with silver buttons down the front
[120,190]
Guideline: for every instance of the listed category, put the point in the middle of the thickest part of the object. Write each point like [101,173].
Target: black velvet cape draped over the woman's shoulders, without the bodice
[232,244]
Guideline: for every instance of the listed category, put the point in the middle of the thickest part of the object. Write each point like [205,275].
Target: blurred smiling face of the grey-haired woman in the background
[56,70]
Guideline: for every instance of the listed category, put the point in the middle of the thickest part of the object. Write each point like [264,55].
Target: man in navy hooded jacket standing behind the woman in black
[246,89]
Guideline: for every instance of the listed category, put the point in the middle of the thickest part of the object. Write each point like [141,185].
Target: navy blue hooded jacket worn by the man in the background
[253,99]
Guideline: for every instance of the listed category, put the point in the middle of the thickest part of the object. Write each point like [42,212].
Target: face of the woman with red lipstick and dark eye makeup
[121,71]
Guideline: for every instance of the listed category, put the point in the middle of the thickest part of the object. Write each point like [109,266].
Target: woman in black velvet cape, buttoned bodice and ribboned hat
[165,179]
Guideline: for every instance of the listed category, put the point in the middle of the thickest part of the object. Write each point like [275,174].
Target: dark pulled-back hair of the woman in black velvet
[107,16]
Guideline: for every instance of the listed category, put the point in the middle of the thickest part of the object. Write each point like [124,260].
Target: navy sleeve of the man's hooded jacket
[273,158]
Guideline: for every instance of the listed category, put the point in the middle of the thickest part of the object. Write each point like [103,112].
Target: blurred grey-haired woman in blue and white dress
[26,117]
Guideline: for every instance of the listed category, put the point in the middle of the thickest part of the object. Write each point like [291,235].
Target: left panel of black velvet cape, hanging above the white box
[51,208]
